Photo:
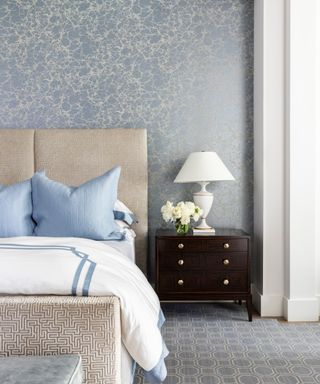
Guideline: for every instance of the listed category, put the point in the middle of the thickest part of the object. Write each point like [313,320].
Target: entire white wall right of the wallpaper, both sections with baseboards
[286,160]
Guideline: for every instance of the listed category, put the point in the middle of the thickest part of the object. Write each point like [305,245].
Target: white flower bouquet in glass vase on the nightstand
[181,214]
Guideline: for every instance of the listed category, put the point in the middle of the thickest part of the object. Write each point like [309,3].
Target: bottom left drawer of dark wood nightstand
[180,282]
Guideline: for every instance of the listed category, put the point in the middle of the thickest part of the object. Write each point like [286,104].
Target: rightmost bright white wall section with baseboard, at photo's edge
[300,302]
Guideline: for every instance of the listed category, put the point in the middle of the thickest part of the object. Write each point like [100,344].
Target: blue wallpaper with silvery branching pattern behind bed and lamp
[181,68]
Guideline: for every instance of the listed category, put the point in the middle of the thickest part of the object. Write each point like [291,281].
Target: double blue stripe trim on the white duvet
[83,256]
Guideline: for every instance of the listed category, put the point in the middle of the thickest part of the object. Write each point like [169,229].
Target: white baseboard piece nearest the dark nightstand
[267,305]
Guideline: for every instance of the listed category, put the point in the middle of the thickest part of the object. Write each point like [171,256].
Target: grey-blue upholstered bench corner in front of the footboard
[64,369]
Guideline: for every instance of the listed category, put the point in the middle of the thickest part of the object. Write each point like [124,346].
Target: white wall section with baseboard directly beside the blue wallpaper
[268,288]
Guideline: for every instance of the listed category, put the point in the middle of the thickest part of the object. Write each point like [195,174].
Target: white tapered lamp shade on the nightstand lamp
[203,166]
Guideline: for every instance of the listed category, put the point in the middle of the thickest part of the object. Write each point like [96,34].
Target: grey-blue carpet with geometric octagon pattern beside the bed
[214,343]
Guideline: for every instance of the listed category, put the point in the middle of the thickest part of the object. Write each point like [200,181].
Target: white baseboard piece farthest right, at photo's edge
[301,309]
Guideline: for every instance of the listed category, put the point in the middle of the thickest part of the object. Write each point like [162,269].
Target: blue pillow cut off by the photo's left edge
[16,210]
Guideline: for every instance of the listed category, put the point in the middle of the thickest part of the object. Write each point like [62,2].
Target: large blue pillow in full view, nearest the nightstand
[85,211]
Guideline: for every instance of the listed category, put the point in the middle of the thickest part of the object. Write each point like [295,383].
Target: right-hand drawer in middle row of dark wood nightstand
[226,261]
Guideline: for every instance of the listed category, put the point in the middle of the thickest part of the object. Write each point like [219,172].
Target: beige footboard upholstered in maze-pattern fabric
[56,325]
